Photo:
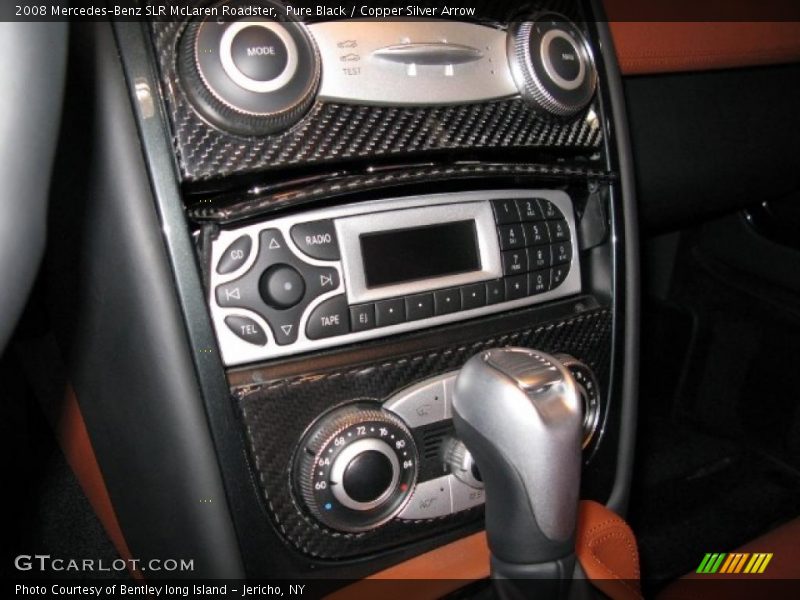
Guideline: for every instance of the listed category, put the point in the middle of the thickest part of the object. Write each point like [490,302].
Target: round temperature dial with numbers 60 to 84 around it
[356,467]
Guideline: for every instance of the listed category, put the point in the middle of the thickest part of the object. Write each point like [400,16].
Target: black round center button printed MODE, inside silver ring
[259,53]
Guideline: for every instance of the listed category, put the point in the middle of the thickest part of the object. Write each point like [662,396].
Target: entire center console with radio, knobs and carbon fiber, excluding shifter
[370,203]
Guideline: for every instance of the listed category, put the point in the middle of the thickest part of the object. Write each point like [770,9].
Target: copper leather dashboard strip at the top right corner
[693,40]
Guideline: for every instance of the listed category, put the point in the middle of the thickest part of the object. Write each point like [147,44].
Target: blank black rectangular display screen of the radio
[401,255]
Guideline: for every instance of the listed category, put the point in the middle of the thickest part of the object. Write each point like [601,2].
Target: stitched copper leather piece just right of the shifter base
[606,549]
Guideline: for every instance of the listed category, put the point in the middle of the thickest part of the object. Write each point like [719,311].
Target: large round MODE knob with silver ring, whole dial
[251,76]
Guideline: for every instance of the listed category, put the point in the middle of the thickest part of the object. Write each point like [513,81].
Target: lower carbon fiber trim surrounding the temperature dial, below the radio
[276,414]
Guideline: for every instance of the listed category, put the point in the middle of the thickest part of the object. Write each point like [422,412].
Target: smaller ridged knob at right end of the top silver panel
[552,64]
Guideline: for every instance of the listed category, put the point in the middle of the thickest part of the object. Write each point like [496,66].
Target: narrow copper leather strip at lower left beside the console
[73,437]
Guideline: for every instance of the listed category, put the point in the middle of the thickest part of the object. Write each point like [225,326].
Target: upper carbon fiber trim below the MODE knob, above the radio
[330,133]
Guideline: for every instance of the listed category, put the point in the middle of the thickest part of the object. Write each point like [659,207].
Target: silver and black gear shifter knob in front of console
[519,413]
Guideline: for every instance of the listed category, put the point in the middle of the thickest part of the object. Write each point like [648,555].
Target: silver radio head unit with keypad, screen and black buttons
[336,276]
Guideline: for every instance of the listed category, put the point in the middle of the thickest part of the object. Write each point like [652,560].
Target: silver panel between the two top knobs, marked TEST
[412,62]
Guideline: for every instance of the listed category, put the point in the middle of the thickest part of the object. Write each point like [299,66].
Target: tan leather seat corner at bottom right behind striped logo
[781,578]
